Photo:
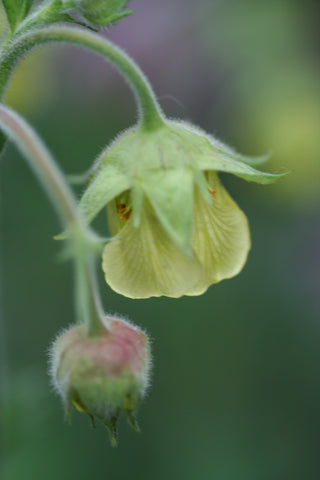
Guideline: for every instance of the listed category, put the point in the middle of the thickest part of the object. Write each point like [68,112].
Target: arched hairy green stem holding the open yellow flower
[151,116]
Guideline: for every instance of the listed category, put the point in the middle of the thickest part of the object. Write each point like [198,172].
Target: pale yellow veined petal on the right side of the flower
[221,238]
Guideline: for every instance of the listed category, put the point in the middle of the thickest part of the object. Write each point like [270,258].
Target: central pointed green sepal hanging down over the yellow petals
[170,193]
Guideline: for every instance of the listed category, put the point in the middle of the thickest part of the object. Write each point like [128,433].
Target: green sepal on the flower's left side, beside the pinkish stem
[107,184]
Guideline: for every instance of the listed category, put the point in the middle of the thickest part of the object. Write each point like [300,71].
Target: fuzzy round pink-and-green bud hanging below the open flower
[102,375]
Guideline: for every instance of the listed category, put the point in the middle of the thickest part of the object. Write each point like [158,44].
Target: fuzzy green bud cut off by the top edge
[101,12]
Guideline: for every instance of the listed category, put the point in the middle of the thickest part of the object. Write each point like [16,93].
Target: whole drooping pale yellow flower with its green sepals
[176,229]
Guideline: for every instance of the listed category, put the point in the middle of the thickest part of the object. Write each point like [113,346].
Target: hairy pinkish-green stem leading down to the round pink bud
[82,239]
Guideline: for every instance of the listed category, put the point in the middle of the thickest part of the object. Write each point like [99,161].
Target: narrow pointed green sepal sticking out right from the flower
[219,161]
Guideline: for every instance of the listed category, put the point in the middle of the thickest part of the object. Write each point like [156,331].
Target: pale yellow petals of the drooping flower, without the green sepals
[144,261]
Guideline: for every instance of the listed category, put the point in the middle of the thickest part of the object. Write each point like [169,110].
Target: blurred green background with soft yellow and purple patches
[236,380]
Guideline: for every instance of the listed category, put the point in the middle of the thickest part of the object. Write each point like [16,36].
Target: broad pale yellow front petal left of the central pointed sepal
[144,262]
